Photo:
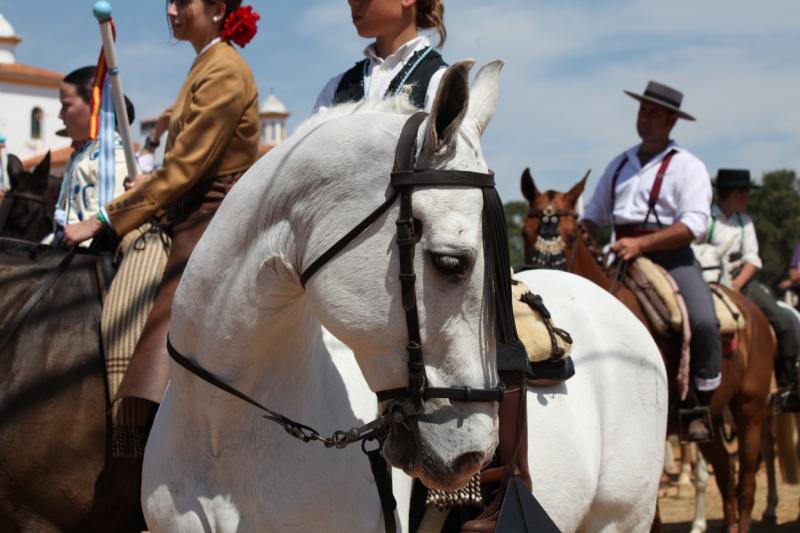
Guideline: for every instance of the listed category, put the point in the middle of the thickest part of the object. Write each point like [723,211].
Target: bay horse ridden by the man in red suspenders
[745,373]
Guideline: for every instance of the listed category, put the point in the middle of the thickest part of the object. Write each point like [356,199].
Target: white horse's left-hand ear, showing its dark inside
[450,106]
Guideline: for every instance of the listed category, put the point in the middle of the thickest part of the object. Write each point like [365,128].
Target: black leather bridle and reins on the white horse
[404,178]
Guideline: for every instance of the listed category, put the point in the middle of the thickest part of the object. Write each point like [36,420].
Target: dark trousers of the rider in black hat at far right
[784,326]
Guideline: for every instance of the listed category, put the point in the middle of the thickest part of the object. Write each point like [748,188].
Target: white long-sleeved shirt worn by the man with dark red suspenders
[685,192]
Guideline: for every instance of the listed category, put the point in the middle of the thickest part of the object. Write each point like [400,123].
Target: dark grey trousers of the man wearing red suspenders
[706,346]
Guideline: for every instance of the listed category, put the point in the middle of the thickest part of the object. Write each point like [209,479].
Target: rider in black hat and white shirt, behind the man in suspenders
[732,229]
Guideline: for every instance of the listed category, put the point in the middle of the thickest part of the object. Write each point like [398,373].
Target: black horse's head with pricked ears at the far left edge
[26,210]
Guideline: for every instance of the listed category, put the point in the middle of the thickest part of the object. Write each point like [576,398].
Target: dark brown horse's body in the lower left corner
[54,423]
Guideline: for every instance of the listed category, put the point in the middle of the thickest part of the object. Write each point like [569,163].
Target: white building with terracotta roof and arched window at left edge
[29,104]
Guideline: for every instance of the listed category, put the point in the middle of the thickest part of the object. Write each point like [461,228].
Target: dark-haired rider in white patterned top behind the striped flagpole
[82,190]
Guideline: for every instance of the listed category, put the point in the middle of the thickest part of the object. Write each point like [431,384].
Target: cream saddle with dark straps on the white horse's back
[548,346]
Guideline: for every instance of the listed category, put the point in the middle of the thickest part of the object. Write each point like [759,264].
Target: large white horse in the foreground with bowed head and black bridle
[212,463]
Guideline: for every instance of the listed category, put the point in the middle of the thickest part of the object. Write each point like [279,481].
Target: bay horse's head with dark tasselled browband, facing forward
[551,226]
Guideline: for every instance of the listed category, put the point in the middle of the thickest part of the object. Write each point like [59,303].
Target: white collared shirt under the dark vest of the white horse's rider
[380,73]
